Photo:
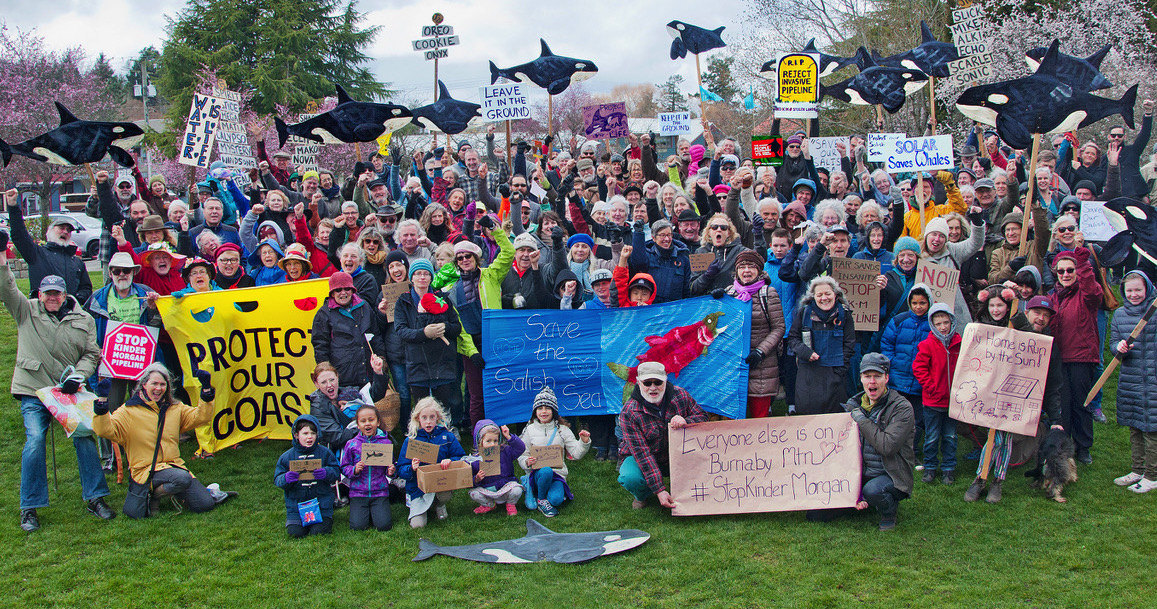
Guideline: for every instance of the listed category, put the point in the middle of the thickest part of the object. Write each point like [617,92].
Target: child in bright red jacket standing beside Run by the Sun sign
[933,368]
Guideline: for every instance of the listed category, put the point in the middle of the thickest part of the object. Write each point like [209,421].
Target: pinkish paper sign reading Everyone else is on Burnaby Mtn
[770,465]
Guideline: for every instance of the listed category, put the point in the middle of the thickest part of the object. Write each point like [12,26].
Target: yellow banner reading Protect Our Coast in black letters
[256,346]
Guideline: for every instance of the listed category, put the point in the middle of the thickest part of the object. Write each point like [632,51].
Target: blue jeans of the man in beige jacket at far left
[34,476]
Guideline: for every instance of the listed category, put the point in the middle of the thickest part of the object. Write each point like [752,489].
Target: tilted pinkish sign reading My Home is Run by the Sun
[1000,379]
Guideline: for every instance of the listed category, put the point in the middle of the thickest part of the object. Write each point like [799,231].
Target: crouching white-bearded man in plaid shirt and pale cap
[654,406]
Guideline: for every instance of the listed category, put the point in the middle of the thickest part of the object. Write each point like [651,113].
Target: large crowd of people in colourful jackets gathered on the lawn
[581,226]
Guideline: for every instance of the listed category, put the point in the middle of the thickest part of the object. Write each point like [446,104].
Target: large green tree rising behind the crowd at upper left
[289,53]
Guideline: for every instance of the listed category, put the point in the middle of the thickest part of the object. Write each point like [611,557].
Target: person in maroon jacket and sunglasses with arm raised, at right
[1078,297]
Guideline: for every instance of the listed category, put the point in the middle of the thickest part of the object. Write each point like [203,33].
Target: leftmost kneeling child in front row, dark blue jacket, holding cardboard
[300,493]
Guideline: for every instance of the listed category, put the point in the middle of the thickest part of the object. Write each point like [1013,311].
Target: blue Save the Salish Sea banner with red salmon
[589,357]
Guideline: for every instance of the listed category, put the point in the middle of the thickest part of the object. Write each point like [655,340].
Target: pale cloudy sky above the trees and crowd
[628,41]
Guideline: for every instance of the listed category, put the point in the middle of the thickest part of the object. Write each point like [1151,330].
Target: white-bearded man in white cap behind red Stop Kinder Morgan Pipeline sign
[120,302]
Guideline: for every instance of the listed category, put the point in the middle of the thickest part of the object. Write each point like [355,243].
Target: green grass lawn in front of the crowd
[1097,551]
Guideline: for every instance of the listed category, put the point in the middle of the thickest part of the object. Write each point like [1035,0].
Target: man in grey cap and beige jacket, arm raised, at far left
[56,347]
